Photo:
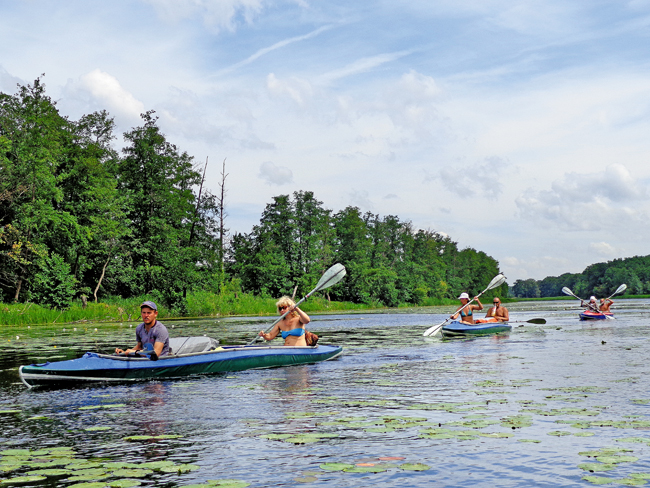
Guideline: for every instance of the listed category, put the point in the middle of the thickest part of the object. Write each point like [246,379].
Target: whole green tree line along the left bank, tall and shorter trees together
[80,219]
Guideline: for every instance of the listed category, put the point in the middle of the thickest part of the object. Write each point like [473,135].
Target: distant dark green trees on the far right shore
[600,279]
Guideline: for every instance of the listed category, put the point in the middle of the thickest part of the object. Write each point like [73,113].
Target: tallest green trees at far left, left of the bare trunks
[78,218]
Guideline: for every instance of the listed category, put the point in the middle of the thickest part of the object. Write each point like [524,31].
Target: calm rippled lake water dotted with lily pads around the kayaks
[507,411]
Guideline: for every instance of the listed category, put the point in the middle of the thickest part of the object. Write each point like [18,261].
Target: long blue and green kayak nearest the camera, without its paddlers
[93,367]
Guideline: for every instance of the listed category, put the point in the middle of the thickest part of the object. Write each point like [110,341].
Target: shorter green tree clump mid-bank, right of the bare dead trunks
[387,261]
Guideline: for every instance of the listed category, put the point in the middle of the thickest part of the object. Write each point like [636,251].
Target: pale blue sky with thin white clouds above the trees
[517,128]
